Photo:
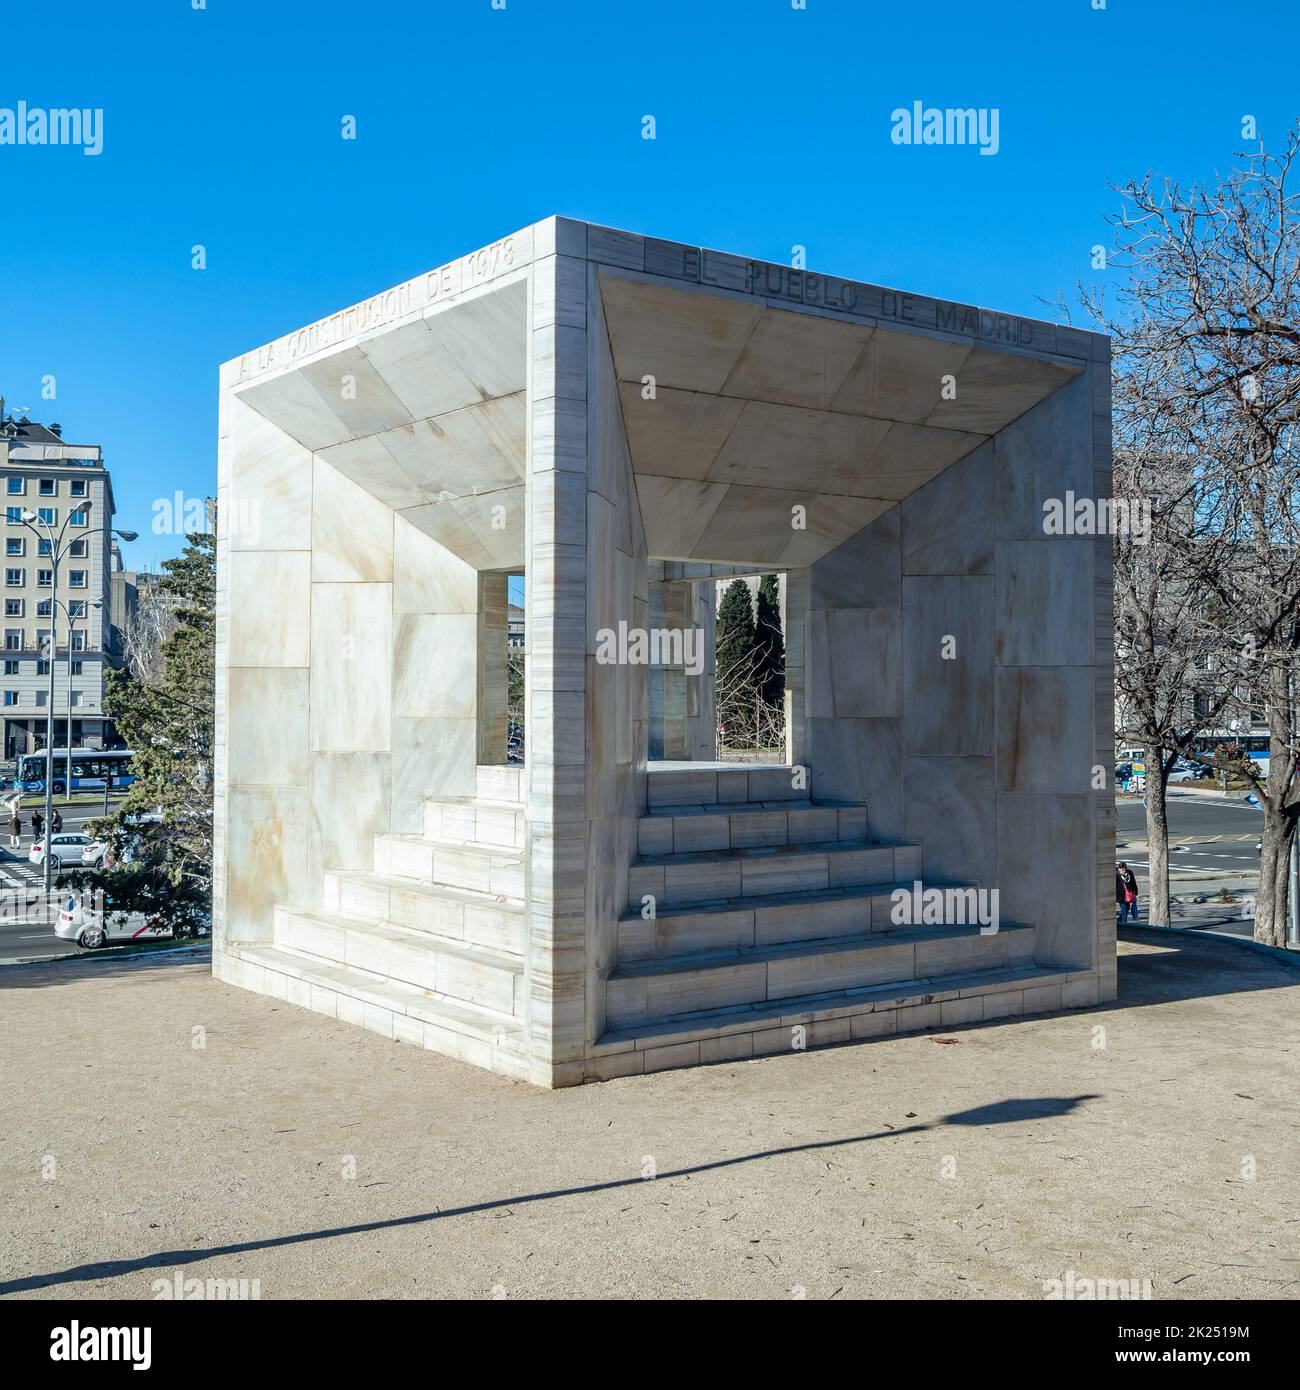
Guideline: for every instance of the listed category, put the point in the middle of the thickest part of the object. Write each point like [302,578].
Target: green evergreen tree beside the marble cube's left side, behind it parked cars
[162,835]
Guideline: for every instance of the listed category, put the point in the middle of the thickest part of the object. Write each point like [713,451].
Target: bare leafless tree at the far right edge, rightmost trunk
[1208,343]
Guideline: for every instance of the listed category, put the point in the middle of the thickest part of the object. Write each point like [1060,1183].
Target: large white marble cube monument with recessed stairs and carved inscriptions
[622,422]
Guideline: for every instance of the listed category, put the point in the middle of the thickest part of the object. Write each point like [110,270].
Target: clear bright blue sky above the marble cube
[222,127]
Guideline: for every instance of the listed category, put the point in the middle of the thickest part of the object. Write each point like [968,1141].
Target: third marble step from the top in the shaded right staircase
[707,876]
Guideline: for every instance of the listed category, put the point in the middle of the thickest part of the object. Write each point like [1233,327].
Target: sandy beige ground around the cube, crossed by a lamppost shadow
[1153,1139]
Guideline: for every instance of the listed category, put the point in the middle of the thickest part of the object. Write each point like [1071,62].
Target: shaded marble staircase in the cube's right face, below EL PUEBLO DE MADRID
[754,908]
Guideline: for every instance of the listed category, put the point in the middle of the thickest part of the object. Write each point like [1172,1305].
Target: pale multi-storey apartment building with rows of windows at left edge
[63,484]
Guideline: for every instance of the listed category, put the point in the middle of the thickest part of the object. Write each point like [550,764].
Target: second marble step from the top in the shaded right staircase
[749,825]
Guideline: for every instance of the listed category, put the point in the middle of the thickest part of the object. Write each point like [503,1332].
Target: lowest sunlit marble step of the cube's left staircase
[387,999]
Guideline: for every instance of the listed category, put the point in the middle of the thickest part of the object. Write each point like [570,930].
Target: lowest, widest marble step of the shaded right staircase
[948,1000]
